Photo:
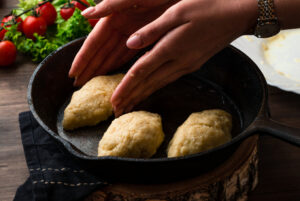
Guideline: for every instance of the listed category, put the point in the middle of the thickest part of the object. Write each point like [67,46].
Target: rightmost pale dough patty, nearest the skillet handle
[201,131]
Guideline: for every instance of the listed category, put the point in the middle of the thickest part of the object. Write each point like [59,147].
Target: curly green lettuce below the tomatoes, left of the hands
[56,35]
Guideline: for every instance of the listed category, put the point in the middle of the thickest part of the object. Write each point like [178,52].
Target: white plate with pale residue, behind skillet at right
[278,57]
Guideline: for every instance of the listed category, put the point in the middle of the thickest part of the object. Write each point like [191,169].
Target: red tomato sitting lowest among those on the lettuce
[33,25]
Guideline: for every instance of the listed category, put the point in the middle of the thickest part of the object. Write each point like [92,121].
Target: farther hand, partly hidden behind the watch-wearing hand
[105,48]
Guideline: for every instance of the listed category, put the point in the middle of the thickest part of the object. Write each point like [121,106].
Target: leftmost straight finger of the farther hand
[99,35]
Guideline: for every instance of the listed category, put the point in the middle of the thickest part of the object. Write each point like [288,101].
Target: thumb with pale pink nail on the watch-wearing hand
[155,30]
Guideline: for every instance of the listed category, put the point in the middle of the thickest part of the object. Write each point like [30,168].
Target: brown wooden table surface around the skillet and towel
[279,167]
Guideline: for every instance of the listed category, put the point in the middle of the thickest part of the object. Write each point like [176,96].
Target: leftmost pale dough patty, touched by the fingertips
[91,104]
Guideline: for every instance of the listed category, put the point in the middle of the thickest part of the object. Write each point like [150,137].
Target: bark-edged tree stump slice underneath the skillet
[231,181]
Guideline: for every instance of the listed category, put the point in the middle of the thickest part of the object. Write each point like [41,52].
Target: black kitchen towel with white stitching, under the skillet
[54,174]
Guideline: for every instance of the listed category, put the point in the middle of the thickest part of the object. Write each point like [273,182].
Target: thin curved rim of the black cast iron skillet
[263,110]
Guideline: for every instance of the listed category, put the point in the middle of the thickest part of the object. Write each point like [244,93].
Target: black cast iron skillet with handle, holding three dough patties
[229,80]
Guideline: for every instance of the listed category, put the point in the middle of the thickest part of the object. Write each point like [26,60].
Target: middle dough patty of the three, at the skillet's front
[134,135]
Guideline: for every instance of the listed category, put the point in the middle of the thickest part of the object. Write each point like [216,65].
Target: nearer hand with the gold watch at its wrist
[187,35]
